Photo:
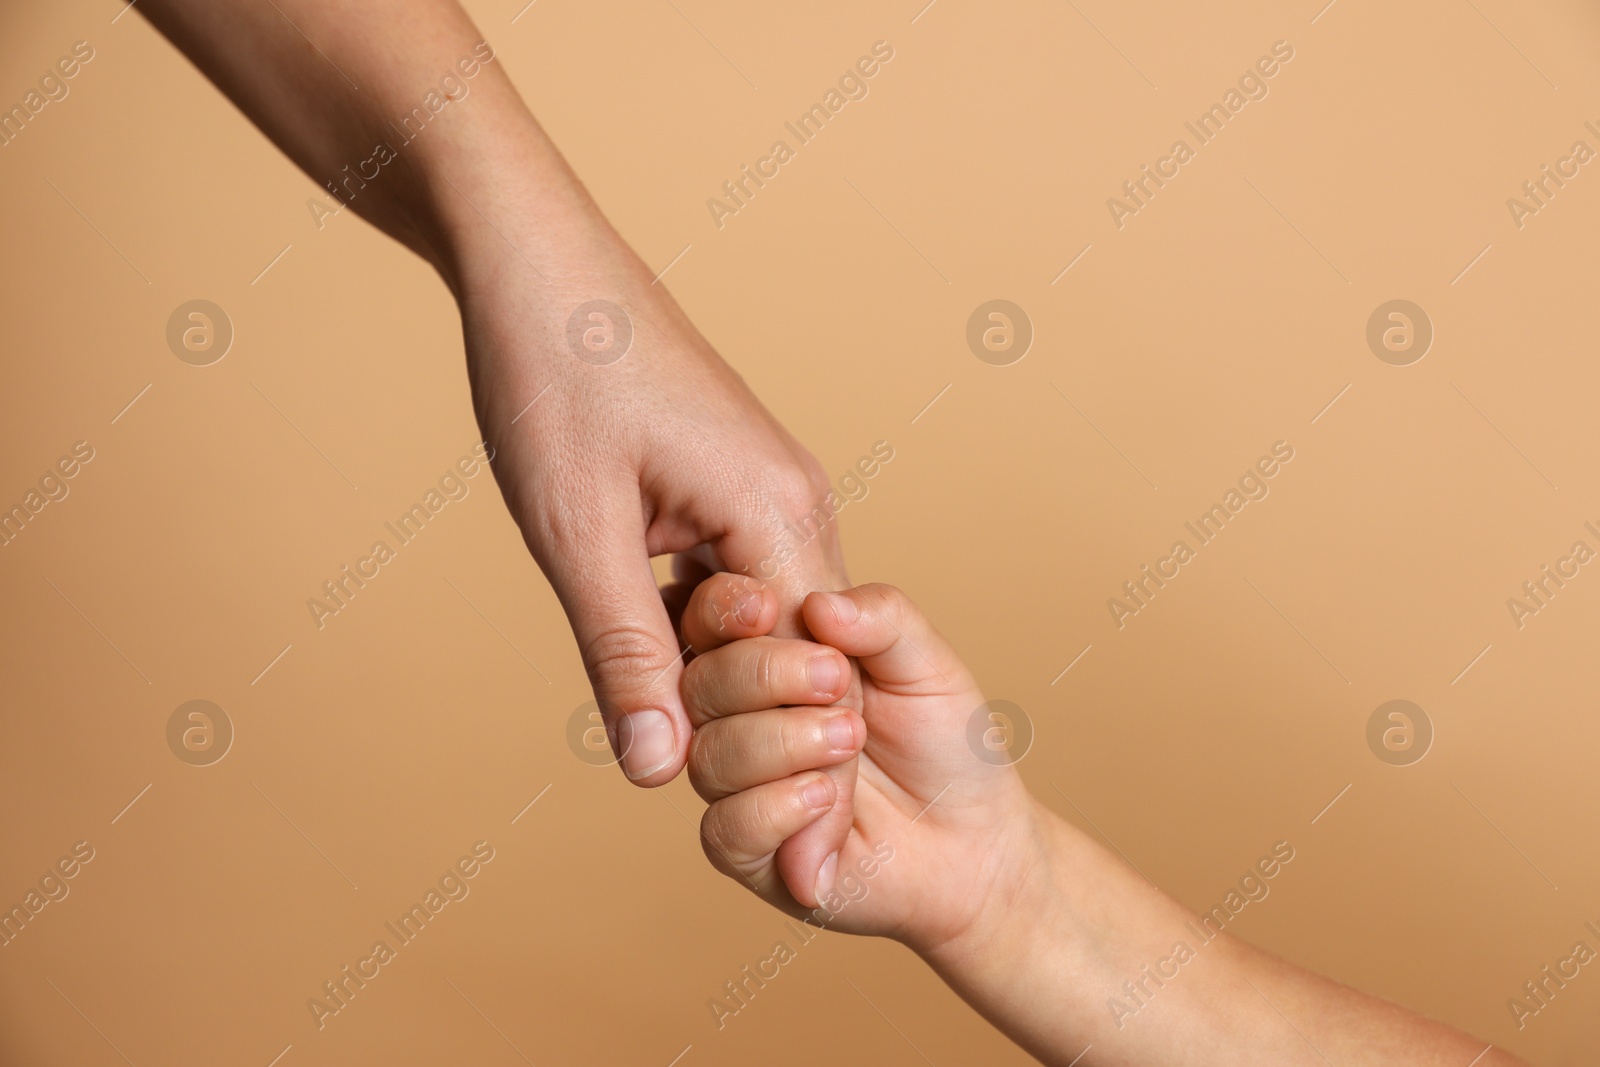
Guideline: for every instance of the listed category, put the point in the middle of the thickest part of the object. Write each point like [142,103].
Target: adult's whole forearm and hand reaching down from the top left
[662,452]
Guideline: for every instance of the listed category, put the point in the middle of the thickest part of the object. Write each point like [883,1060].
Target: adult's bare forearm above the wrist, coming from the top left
[401,113]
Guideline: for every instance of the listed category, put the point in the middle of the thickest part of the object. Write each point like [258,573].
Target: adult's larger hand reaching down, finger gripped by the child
[622,436]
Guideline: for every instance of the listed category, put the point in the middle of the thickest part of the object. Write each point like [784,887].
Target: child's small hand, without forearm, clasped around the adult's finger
[940,834]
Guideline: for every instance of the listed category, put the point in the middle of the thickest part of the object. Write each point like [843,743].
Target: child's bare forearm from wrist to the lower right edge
[1092,956]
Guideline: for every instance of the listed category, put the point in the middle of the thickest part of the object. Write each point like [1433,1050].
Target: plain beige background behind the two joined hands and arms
[1220,321]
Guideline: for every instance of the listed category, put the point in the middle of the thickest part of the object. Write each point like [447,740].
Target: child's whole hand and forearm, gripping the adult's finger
[1026,917]
